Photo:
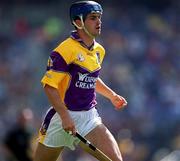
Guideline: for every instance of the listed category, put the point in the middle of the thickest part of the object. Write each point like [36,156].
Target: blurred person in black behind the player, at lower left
[17,140]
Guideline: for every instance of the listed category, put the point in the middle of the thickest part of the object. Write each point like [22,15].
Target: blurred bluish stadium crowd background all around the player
[142,63]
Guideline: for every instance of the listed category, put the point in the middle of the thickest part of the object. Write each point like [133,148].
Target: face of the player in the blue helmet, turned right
[93,23]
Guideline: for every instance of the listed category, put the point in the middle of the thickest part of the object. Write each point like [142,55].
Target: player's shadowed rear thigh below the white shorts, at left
[44,153]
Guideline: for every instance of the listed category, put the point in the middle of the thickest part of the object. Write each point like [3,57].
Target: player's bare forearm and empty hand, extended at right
[117,100]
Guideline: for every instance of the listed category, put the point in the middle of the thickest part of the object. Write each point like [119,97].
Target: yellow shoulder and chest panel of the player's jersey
[73,52]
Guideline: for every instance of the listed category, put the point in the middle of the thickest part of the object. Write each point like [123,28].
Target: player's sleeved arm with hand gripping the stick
[57,70]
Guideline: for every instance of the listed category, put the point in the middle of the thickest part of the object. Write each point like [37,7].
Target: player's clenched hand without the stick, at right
[118,101]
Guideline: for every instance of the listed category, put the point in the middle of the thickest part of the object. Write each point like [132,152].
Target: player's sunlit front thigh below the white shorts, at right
[104,140]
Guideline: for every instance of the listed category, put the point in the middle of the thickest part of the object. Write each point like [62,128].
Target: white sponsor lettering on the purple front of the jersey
[86,82]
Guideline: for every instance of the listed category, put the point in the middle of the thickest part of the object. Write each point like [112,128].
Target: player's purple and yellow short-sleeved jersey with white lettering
[73,69]
